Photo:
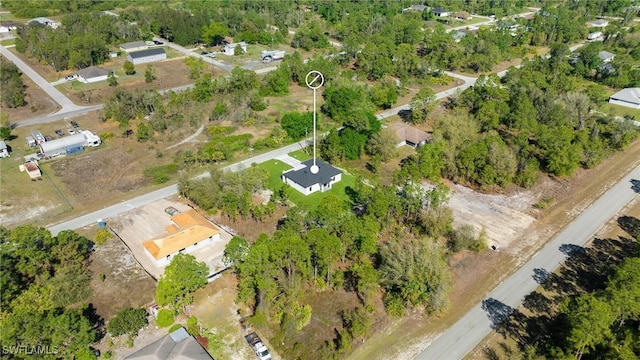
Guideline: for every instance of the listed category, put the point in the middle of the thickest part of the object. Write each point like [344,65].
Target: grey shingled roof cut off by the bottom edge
[177,345]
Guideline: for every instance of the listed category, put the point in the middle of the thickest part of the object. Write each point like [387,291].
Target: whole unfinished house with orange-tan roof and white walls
[190,231]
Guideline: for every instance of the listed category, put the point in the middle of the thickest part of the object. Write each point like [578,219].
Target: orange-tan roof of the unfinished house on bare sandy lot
[190,227]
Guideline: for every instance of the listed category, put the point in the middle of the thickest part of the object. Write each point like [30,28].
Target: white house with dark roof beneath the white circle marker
[307,183]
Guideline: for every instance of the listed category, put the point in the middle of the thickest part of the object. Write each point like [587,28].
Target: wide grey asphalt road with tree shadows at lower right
[464,335]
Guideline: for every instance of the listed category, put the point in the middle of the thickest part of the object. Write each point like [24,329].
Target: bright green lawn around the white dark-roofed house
[309,202]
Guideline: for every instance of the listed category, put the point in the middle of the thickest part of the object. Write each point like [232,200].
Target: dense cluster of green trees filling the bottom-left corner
[45,283]
